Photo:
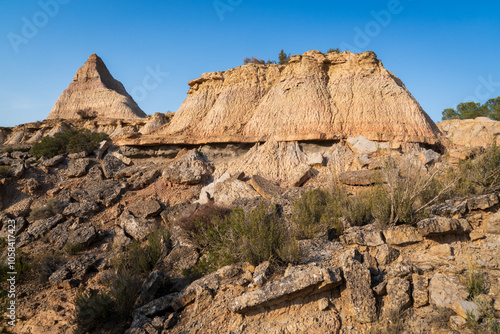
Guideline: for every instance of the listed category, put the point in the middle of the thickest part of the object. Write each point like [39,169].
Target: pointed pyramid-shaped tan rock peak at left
[95,93]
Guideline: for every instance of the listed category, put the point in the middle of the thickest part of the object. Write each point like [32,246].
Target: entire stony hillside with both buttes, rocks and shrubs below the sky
[316,197]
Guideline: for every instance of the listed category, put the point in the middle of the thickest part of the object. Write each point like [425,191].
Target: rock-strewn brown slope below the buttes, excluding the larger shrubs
[373,279]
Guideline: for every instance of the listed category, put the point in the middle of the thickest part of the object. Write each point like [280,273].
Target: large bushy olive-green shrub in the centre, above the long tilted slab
[255,237]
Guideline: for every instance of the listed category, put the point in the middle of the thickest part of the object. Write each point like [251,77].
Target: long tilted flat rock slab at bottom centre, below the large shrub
[309,280]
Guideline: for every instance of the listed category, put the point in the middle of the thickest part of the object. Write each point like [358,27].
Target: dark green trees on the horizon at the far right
[468,110]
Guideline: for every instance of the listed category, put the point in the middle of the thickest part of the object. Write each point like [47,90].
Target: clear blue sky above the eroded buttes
[445,53]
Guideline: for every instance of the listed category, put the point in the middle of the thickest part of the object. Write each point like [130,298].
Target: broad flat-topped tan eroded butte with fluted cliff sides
[315,97]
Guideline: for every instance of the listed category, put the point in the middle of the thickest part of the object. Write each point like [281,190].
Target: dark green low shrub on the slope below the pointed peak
[69,141]
